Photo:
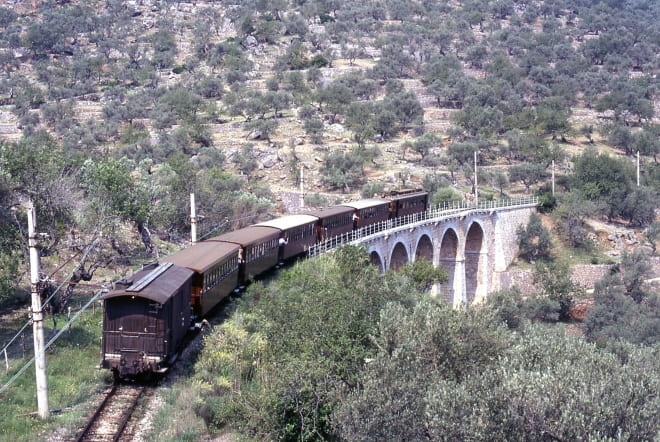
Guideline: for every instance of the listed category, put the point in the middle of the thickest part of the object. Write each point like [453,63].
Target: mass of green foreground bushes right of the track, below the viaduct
[332,350]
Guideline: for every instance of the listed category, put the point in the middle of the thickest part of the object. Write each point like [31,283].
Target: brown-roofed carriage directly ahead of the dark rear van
[216,268]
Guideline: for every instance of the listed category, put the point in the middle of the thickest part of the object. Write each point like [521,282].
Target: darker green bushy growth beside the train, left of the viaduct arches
[285,364]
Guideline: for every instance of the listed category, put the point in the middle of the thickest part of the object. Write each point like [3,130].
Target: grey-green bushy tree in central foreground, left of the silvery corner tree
[417,349]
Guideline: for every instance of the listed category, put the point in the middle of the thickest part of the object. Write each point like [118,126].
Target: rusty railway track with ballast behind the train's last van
[109,422]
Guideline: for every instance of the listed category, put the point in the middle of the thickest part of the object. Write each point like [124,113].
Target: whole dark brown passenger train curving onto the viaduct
[147,316]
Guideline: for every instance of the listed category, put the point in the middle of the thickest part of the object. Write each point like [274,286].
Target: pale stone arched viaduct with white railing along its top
[471,242]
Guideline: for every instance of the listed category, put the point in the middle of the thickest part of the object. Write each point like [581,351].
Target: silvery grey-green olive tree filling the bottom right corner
[549,385]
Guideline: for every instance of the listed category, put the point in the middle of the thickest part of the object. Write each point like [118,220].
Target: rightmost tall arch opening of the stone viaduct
[475,265]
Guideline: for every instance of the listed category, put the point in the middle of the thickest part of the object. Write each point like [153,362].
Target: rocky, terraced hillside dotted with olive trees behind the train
[129,106]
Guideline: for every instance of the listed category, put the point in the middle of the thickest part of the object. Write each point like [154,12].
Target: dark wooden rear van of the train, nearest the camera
[145,320]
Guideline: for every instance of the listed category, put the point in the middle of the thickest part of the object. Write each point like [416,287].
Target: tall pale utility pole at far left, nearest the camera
[37,316]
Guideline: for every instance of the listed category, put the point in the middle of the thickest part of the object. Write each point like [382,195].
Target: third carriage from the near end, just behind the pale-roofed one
[258,249]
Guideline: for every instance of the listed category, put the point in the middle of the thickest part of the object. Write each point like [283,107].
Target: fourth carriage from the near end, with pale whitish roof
[298,231]
